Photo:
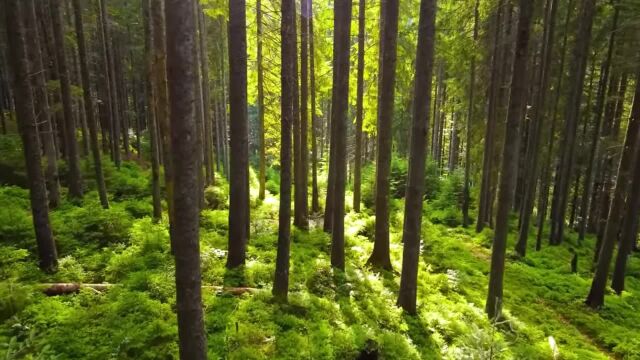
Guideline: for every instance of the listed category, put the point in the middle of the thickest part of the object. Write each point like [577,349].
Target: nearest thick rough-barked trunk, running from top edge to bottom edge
[181,65]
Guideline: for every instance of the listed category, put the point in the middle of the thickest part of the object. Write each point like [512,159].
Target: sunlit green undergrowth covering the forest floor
[329,315]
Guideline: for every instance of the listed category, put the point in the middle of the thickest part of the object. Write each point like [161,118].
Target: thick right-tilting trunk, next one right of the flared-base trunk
[419,131]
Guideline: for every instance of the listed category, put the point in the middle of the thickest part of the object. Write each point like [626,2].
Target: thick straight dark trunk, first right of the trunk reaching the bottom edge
[239,164]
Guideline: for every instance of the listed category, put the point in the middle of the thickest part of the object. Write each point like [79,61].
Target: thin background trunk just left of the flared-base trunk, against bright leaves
[357,171]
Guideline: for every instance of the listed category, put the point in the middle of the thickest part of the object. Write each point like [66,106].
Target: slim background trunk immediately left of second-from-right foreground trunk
[485,199]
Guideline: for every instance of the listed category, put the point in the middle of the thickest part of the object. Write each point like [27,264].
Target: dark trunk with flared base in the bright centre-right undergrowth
[386,85]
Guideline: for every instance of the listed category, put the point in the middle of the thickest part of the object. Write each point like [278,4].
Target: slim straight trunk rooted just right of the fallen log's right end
[288,51]
